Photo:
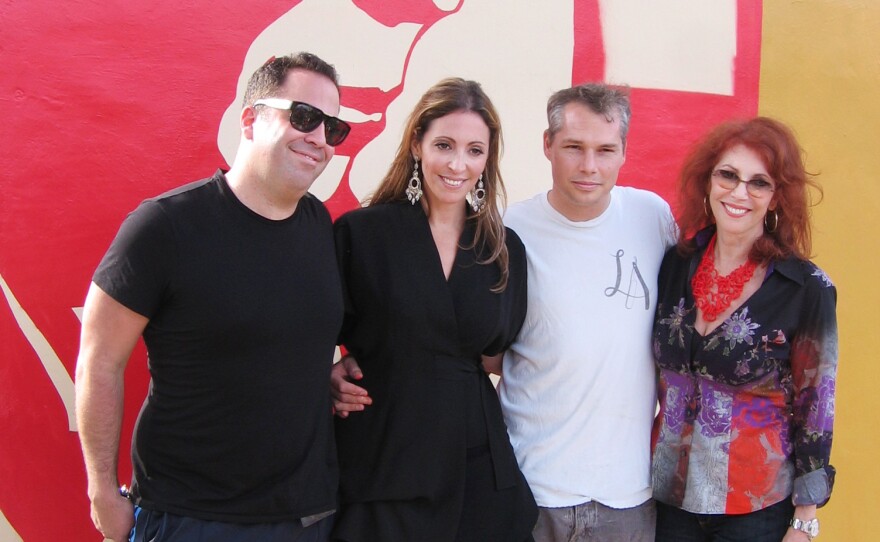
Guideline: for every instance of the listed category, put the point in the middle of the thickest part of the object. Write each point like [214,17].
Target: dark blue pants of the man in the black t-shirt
[153,526]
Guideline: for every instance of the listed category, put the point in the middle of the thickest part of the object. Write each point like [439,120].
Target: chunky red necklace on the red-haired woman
[715,293]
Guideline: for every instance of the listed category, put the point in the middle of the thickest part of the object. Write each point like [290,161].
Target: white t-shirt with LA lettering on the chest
[578,387]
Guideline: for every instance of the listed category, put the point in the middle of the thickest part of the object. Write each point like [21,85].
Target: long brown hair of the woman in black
[450,96]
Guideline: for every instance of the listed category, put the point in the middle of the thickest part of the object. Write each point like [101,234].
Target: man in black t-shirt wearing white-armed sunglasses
[233,284]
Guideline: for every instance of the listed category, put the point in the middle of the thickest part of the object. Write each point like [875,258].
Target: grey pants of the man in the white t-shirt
[594,522]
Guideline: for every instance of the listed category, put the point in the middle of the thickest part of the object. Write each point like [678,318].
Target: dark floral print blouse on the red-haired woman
[746,412]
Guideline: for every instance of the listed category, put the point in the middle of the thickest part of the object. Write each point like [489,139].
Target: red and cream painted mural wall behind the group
[107,105]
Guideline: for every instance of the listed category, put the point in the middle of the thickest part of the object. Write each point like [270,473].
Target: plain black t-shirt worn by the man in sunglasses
[244,313]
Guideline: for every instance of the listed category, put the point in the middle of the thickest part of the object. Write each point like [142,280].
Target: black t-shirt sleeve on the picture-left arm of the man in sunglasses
[136,269]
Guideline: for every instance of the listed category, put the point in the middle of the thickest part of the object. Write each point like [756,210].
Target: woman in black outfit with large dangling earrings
[433,284]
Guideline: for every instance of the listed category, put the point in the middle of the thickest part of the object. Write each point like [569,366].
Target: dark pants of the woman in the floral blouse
[767,525]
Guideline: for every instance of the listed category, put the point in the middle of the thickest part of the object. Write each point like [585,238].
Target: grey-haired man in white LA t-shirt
[578,384]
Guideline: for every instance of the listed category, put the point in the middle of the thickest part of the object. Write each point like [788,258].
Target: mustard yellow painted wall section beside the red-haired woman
[820,72]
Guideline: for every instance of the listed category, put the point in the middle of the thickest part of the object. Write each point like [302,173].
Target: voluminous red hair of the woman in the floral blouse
[775,143]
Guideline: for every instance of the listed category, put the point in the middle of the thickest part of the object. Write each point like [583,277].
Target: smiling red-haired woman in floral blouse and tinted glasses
[745,341]
